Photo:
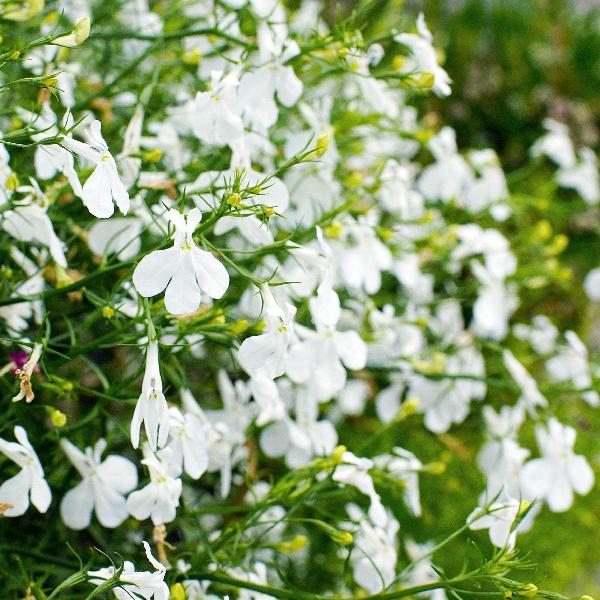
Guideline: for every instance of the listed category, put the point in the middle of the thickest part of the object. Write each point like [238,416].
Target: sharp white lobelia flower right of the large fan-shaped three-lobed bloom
[267,353]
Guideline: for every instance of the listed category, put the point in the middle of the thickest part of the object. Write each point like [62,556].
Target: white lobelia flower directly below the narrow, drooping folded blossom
[159,499]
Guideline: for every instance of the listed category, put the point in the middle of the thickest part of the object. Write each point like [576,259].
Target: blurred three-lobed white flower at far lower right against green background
[559,472]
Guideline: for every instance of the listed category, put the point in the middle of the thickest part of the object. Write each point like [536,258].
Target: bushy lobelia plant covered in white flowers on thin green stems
[257,311]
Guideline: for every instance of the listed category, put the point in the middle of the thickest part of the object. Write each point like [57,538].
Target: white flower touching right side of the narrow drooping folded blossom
[187,443]
